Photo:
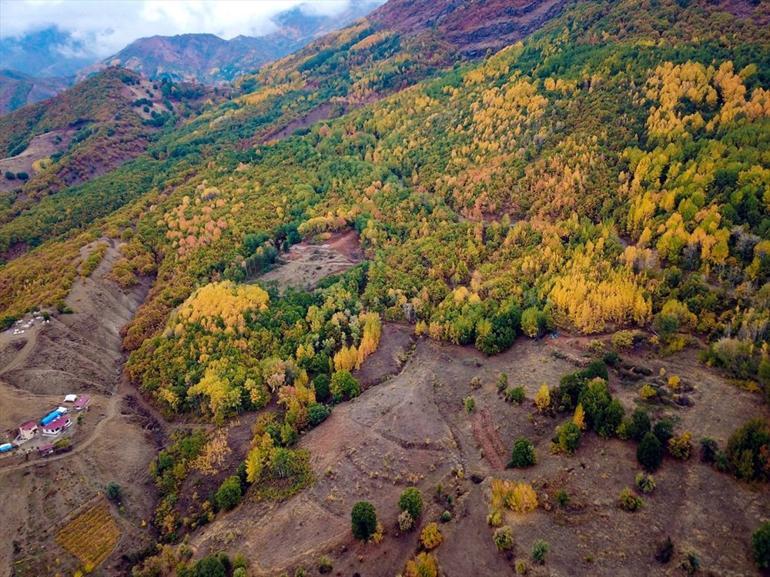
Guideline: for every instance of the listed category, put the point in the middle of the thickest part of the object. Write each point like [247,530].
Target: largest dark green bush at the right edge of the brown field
[748,451]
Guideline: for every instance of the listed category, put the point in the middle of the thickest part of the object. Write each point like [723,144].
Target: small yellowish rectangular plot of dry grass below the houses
[91,536]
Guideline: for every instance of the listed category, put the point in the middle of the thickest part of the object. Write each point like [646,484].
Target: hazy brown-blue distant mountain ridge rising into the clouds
[209,59]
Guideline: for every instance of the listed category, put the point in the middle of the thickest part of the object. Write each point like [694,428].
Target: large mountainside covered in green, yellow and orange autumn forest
[607,170]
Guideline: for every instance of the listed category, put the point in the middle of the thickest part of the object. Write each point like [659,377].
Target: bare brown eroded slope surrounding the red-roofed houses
[74,353]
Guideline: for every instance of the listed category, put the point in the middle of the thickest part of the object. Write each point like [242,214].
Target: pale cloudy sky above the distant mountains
[106,26]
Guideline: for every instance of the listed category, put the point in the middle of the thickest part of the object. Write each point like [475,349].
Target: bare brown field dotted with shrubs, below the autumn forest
[413,430]
